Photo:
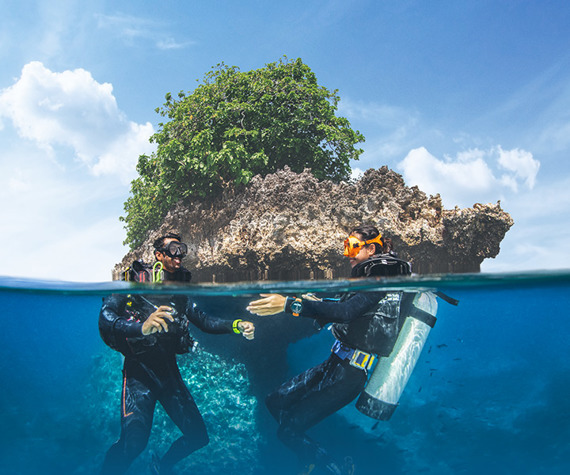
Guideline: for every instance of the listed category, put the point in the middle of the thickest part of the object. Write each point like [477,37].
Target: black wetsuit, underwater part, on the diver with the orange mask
[367,321]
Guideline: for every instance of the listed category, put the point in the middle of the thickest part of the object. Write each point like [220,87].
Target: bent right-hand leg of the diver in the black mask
[181,408]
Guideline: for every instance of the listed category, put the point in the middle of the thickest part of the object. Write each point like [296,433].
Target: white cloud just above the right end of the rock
[471,176]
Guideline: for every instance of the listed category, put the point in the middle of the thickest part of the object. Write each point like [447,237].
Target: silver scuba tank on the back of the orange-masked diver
[380,397]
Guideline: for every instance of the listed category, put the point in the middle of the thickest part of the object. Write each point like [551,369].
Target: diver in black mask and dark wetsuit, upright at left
[150,331]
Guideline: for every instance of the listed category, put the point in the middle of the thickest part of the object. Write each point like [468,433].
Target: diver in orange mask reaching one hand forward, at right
[365,325]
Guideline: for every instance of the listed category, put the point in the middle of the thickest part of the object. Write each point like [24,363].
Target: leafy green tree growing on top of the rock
[234,126]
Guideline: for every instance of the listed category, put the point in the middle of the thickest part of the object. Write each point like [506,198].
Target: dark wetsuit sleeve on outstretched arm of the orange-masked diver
[342,311]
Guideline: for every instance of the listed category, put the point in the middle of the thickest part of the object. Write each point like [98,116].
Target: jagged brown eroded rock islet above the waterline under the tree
[290,226]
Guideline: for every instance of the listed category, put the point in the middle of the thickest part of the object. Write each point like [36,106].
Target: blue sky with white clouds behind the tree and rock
[469,99]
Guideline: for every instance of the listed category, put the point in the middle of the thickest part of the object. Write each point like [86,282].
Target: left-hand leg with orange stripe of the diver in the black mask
[137,409]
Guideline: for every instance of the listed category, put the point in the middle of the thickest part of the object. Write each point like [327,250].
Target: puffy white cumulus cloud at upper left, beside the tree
[71,109]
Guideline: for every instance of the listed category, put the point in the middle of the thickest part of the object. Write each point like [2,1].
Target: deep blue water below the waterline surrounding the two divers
[490,392]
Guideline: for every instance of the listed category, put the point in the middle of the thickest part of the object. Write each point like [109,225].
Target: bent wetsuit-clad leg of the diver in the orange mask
[314,395]
